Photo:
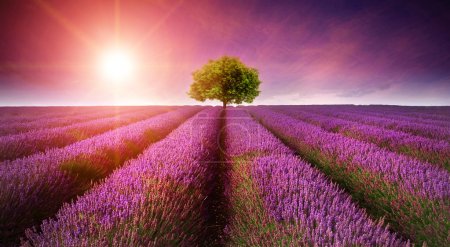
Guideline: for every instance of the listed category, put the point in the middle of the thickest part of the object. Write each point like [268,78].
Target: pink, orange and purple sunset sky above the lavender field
[306,52]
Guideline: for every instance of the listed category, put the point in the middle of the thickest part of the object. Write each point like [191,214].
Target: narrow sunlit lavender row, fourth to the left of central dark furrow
[46,123]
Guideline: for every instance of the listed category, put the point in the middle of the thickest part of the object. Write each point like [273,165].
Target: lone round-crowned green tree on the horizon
[226,79]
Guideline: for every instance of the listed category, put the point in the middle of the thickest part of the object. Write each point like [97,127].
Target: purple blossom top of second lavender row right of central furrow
[417,177]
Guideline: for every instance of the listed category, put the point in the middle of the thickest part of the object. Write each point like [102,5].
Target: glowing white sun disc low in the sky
[117,65]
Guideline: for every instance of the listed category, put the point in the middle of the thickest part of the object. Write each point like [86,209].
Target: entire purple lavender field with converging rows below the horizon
[338,175]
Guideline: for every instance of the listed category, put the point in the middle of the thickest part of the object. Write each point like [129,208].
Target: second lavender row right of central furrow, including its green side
[412,195]
